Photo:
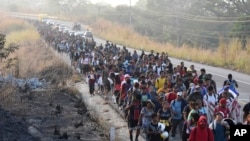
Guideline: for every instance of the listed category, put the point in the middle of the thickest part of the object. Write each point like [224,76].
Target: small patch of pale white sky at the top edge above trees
[115,2]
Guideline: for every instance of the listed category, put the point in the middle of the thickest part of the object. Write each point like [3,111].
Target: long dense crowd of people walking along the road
[153,93]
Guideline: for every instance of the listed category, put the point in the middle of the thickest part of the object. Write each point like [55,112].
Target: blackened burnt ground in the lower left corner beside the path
[50,115]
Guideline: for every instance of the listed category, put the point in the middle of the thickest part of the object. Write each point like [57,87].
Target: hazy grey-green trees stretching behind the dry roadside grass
[198,23]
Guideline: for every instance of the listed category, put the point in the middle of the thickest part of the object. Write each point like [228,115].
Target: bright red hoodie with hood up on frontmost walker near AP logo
[201,132]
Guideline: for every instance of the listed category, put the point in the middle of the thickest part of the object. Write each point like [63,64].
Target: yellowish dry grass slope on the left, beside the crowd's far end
[34,59]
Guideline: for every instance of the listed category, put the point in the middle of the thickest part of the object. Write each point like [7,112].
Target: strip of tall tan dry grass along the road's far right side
[228,54]
